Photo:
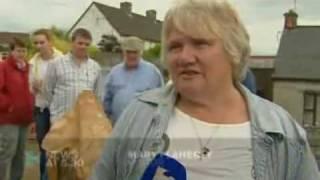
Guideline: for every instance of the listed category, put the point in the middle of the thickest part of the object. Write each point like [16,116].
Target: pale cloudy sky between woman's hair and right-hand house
[264,20]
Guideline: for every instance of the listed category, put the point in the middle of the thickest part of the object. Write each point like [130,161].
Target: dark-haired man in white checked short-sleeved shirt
[69,75]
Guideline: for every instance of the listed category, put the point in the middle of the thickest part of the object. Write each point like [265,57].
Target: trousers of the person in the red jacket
[12,151]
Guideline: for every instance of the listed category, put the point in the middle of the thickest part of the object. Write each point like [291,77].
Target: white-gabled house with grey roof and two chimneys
[101,19]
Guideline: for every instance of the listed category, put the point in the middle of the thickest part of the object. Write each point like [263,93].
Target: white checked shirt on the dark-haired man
[65,80]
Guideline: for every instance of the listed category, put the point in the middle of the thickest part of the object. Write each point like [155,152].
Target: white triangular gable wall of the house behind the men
[97,24]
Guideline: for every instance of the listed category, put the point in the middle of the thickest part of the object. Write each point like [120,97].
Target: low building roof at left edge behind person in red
[6,38]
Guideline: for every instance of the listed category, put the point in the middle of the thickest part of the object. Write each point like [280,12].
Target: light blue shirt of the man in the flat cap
[122,85]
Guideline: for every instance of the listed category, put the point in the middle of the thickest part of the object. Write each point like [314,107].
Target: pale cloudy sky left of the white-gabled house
[33,14]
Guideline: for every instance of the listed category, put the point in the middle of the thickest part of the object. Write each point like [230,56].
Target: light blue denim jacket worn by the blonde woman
[279,145]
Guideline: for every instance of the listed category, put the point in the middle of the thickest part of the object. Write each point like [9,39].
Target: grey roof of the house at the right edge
[299,54]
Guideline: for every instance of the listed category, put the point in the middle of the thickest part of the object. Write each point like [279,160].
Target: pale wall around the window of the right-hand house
[290,95]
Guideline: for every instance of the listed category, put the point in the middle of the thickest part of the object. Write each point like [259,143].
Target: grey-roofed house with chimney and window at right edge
[297,76]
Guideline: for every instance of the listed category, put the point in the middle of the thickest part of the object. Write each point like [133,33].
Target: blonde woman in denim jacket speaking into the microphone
[206,120]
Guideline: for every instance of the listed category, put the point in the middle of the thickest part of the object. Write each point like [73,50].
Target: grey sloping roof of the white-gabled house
[130,24]
